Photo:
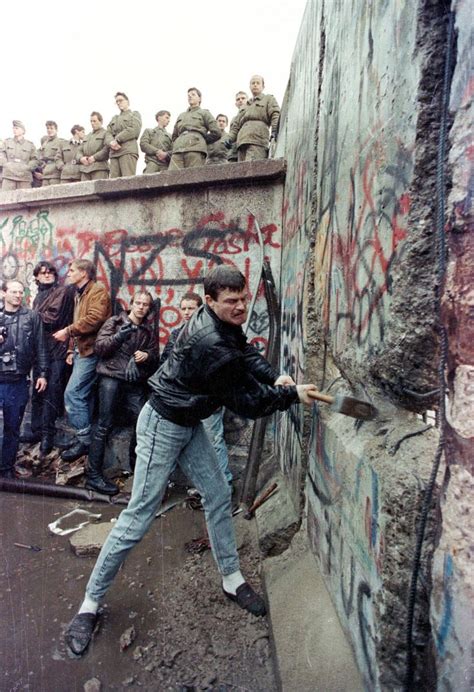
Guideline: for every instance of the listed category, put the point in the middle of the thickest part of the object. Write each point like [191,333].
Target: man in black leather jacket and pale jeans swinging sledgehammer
[211,365]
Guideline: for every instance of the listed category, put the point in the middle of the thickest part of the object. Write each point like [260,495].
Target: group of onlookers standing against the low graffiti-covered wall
[81,358]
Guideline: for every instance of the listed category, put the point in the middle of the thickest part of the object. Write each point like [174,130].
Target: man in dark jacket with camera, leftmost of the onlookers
[22,344]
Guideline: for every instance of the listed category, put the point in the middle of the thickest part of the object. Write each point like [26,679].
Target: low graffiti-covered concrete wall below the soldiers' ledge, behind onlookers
[163,246]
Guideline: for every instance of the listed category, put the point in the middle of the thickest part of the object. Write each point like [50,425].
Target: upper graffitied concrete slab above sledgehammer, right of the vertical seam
[375,190]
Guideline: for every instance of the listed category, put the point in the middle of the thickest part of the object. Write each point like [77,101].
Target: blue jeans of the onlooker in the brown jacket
[78,396]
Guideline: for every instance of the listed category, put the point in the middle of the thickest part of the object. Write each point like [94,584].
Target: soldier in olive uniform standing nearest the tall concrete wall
[250,130]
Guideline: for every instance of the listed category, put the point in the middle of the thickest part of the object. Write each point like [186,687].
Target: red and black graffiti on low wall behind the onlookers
[167,262]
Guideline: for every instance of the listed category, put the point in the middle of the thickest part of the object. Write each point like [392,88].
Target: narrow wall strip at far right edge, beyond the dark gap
[452,600]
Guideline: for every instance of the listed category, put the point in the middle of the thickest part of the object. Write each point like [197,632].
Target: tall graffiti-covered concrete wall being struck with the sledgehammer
[360,135]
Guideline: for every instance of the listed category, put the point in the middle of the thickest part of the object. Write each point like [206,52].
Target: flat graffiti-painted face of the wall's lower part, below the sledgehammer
[345,531]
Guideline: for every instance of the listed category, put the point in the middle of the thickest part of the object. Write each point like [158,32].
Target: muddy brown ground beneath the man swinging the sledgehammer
[186,635]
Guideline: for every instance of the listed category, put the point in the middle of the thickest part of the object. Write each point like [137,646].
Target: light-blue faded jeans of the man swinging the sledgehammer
[161,445]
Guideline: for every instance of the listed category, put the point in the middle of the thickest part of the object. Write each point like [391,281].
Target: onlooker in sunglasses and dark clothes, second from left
[55,305]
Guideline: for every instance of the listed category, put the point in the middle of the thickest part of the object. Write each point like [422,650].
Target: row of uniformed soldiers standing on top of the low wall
[198,138]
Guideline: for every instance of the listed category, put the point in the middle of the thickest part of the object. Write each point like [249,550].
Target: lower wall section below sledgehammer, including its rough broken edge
[364,498]
